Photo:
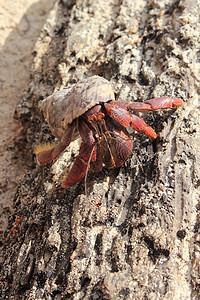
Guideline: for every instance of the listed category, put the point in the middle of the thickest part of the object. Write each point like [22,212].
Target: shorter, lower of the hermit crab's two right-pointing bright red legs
[123,117]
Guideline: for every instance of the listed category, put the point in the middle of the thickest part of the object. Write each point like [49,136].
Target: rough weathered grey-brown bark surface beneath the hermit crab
[142,242]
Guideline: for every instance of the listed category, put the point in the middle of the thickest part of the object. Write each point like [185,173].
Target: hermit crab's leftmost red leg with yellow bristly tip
[47,152]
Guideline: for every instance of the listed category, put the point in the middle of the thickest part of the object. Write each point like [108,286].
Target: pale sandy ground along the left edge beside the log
[21,22]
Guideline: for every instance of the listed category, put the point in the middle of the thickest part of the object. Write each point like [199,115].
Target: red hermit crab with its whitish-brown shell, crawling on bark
[89,109]
